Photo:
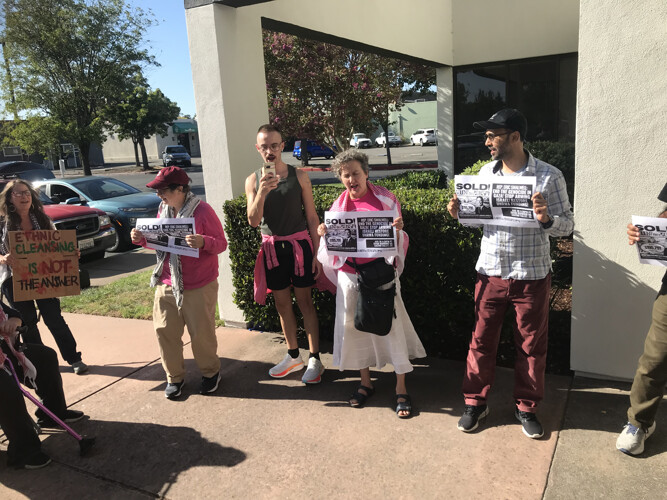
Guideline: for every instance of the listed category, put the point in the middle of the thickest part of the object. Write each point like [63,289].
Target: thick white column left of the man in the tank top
[230,93]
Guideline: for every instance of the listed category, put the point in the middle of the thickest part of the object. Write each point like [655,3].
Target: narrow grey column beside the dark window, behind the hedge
[444,78]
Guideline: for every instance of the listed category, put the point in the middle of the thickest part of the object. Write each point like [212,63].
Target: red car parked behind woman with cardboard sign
[94,231]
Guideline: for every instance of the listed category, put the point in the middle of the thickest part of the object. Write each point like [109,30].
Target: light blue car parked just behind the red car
[123,203]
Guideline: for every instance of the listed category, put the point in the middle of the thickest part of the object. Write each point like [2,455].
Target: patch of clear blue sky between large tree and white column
[168,42]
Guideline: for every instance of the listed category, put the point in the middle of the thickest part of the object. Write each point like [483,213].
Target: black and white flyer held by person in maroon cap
[168,235]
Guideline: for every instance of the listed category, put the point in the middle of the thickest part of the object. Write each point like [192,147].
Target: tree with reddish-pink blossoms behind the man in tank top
[327,92]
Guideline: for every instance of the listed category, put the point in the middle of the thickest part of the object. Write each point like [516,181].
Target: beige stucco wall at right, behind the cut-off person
[619,172]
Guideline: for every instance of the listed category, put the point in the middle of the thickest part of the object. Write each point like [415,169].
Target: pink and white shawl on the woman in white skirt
[332,263]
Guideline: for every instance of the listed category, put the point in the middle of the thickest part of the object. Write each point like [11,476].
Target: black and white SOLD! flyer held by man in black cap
[498,201]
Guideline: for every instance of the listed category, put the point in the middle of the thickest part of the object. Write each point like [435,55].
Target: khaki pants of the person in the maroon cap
[198,314]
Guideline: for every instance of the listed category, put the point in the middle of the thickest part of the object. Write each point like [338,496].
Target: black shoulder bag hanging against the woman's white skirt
[375,310]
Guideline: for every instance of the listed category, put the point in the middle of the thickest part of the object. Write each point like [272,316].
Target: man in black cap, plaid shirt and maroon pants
[514,272]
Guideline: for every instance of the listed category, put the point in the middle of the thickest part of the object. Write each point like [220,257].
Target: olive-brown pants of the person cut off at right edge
[648,387]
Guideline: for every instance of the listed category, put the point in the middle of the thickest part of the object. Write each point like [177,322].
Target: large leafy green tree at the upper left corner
[71,60]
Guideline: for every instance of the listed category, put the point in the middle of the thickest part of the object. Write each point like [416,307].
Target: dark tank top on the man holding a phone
[283,213]
